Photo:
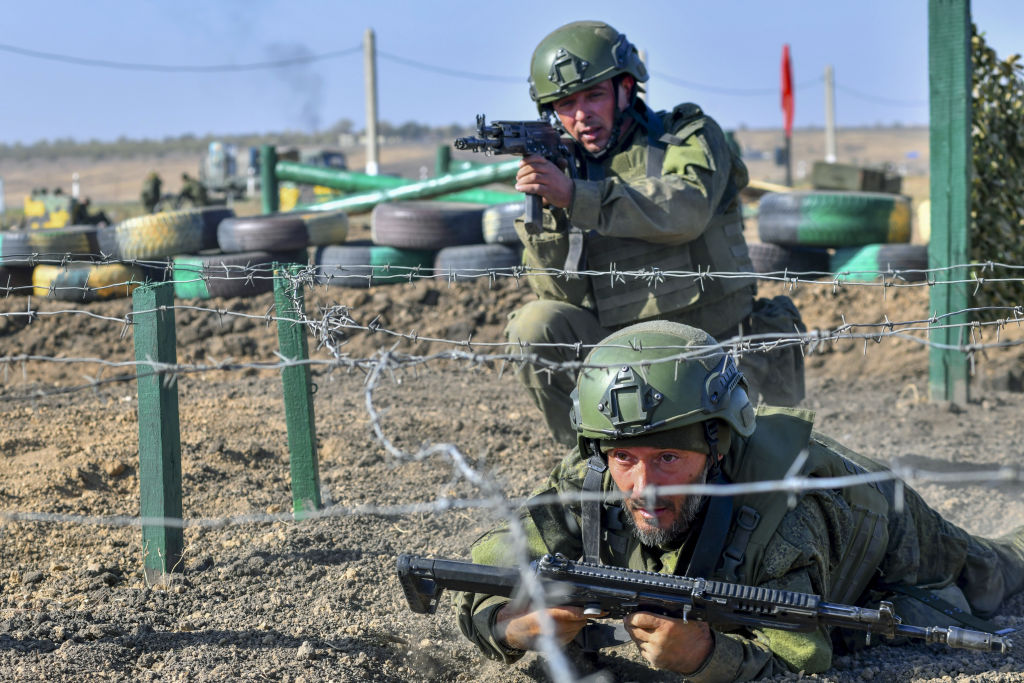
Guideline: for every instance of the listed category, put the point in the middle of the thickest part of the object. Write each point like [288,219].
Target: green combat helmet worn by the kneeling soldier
[577,57]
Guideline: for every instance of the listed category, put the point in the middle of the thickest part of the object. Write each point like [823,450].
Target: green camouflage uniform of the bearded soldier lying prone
[806,548]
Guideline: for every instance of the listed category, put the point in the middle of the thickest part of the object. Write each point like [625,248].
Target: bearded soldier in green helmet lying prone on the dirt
[643,423]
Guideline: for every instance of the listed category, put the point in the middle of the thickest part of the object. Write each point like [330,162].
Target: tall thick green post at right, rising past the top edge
[950,87]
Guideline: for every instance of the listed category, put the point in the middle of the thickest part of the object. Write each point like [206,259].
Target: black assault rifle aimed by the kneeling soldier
[519,138]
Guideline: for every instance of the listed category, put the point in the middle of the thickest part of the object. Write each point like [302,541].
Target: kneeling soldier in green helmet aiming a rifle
[655,191]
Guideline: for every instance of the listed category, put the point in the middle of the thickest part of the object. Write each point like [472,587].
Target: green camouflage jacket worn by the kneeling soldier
[664,202]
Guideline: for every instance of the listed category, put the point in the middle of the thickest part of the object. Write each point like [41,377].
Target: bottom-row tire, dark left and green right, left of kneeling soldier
[362,265]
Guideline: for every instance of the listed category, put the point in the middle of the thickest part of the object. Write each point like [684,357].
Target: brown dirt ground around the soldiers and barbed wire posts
[263,597]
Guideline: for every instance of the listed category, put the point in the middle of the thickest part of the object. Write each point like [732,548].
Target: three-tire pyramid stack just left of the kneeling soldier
[411,240]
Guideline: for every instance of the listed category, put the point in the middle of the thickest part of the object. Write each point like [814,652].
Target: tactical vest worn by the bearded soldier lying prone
[738,556]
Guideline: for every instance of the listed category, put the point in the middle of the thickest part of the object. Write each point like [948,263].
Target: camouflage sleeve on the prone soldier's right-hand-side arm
[797,559]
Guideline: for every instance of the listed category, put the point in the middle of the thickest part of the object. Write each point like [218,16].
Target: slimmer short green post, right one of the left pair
[290,302]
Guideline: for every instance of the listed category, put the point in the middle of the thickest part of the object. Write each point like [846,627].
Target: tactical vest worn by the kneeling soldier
[721,247]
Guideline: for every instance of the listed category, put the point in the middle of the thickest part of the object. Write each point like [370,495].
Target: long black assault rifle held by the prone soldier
[614,592]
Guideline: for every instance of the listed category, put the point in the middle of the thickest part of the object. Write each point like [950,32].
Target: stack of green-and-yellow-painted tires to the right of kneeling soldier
[848,236]
